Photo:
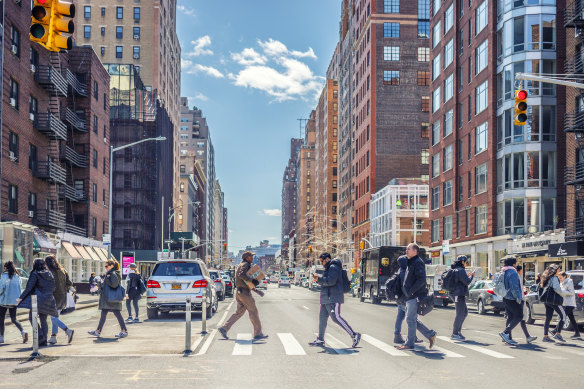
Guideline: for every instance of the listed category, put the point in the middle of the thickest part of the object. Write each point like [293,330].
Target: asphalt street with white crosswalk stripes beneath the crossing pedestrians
[152,356]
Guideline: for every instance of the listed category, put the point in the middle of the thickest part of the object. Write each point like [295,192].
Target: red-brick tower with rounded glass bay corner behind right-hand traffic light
[493,180]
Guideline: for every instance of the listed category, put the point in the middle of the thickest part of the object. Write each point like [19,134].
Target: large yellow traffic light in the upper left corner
[50,19]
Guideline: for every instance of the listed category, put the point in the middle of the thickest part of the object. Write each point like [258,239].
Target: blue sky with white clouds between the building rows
[254,67]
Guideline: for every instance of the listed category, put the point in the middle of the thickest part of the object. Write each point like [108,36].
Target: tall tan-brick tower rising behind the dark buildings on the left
[142,34]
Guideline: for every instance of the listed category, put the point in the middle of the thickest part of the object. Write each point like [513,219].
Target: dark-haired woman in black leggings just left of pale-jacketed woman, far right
[549,280]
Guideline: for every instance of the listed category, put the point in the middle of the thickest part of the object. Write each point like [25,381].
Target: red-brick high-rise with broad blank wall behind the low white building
[390,99]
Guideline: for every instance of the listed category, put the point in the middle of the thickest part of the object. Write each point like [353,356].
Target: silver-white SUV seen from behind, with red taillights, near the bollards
[172,281]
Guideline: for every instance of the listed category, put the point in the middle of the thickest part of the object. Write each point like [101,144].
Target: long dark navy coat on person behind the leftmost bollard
[41,284]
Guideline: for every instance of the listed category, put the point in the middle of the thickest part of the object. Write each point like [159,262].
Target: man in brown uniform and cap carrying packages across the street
[245,301]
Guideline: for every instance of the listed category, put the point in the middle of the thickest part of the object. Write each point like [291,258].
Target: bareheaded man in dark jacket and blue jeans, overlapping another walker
[414,287]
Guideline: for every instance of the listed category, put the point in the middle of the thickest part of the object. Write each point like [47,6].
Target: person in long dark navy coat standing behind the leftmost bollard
[42,284]
